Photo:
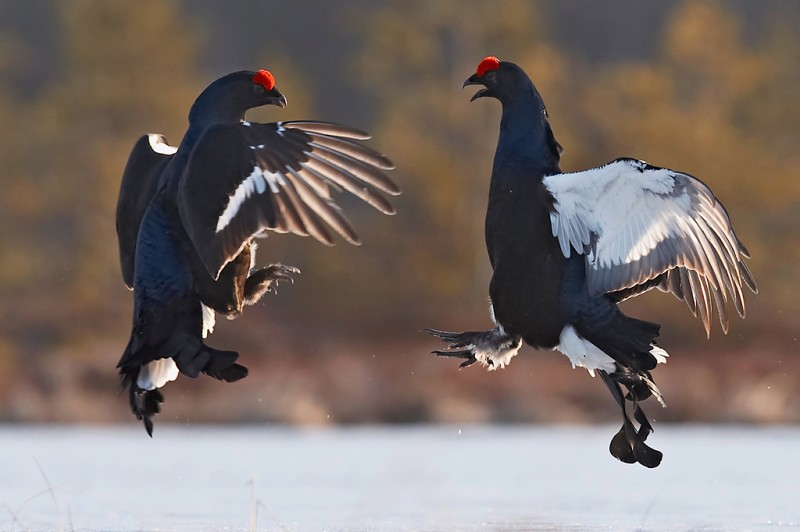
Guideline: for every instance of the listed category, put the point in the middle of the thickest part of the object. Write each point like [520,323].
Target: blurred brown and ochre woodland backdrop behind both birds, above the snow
[709,88]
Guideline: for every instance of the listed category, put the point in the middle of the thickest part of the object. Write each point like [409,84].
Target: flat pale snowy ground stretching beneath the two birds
[400,478]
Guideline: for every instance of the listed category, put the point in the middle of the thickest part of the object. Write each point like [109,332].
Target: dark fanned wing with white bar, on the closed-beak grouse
[245,178]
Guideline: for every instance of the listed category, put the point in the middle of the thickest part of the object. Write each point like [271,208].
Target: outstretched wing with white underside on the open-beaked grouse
[642,227]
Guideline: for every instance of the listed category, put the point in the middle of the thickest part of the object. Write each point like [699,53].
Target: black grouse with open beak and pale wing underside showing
[566,248]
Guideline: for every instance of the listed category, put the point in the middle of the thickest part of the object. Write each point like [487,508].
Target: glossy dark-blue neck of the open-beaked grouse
[526,144]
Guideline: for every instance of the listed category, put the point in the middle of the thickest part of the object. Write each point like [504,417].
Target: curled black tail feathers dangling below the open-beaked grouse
[628,444]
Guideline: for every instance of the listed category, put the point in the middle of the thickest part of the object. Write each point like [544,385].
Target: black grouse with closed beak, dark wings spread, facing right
[187,218]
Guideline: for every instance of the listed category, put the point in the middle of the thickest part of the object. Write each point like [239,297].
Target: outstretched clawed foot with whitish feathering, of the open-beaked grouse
[494,349]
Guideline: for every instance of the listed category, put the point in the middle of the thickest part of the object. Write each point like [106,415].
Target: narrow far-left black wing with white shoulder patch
[140,180]
